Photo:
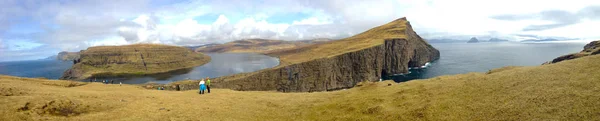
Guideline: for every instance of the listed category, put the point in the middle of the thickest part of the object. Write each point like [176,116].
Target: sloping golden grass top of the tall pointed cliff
[372,37]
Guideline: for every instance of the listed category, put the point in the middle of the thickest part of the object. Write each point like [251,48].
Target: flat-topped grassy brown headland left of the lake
[138,59]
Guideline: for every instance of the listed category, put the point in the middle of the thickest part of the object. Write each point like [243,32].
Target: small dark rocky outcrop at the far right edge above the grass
[591,48]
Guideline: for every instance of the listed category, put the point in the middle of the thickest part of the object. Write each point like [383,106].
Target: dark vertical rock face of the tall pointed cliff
[394,56]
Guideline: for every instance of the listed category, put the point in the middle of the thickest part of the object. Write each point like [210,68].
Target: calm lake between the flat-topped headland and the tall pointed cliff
[221,64]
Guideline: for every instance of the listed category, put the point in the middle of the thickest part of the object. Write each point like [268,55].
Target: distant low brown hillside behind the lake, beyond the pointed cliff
[256,45]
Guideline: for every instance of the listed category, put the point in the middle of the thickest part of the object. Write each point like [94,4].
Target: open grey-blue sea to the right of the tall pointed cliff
[458,58]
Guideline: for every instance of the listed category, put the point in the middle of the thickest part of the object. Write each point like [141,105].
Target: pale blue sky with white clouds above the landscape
[34,29]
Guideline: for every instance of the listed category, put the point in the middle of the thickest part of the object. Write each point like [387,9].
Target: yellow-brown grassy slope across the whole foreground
[562,91]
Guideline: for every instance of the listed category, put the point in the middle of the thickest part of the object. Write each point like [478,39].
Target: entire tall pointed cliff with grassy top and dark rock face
[384,50]
